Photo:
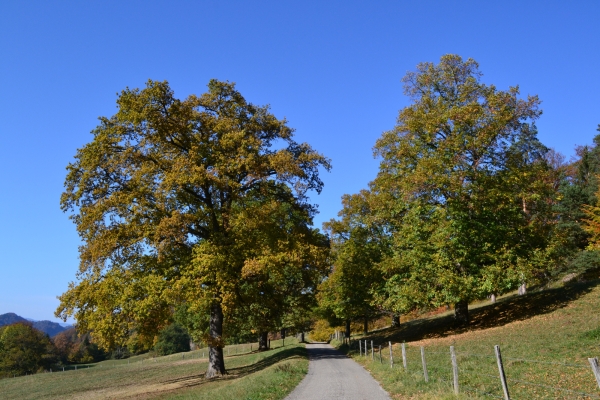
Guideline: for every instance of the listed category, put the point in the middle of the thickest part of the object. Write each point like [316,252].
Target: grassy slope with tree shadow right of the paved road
[554,327]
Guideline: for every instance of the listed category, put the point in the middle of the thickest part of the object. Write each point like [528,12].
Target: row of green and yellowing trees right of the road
[467,204]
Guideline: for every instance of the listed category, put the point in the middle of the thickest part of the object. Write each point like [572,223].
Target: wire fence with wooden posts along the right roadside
[483,375]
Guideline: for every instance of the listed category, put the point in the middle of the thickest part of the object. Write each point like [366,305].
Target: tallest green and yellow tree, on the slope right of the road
[468,172]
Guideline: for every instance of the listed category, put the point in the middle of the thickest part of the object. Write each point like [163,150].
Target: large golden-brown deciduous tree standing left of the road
[164,199]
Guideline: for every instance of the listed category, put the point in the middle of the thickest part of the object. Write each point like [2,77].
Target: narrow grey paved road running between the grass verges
[333,376]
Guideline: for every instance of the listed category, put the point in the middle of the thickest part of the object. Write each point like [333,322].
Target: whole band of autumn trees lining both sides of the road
[196,211]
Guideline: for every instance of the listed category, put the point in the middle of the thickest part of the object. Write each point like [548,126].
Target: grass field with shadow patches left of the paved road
[251,376]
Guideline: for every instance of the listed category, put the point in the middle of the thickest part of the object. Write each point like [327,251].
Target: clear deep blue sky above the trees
[332,68]
